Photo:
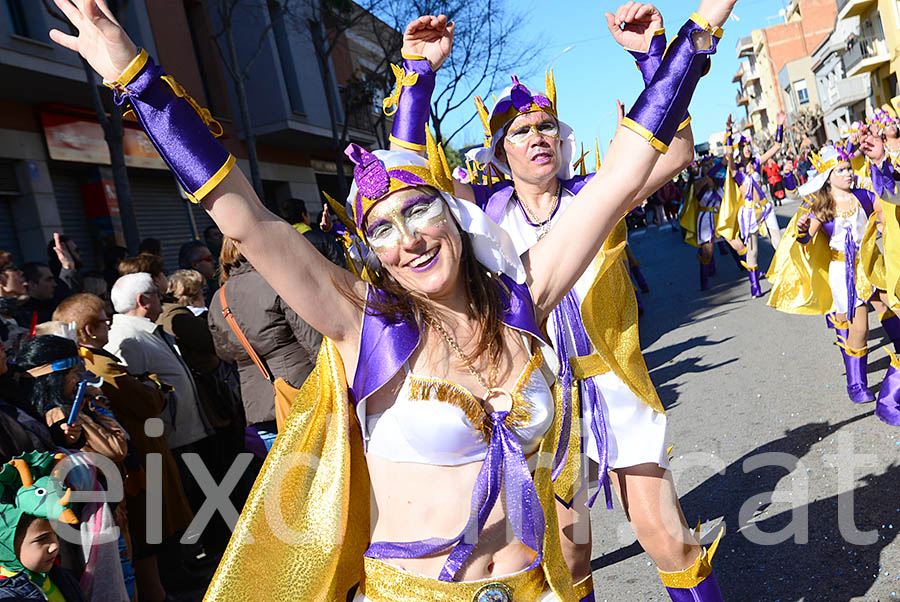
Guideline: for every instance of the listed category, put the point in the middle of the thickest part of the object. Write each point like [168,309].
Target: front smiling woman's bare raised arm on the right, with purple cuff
[556,262]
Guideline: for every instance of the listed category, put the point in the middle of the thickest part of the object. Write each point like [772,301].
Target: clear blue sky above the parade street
[597,71]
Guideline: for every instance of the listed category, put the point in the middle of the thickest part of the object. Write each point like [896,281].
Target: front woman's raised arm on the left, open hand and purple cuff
[302,277]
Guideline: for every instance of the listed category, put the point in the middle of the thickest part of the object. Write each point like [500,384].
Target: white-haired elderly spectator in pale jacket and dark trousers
[142,346]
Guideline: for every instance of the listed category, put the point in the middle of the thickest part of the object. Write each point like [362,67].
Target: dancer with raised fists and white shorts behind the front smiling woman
[612,410]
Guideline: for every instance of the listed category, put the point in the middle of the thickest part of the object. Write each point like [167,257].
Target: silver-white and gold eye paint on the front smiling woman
[394,220]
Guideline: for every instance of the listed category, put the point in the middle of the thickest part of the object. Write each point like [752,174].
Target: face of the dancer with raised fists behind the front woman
[531,147]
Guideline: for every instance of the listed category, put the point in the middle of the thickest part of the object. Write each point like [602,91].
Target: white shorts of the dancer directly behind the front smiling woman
[635,432]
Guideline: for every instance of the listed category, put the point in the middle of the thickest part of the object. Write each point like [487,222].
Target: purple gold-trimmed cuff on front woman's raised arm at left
[177,130]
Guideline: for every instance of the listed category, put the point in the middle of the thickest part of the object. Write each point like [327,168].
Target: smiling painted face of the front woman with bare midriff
[416,240]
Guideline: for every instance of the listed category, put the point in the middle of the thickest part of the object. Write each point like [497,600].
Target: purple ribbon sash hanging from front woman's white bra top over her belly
[504,467]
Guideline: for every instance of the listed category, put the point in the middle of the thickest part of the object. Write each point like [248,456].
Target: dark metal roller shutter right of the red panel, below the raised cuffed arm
[161,213]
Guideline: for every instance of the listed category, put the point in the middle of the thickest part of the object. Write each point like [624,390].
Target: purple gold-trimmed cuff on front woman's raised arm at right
[661,107]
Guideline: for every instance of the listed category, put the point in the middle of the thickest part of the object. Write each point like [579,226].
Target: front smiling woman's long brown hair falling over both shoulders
[483,299]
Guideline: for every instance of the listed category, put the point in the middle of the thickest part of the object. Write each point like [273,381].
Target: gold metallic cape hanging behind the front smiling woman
[305,527]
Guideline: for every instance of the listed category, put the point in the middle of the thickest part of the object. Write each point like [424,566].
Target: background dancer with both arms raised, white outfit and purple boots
[756,215]
